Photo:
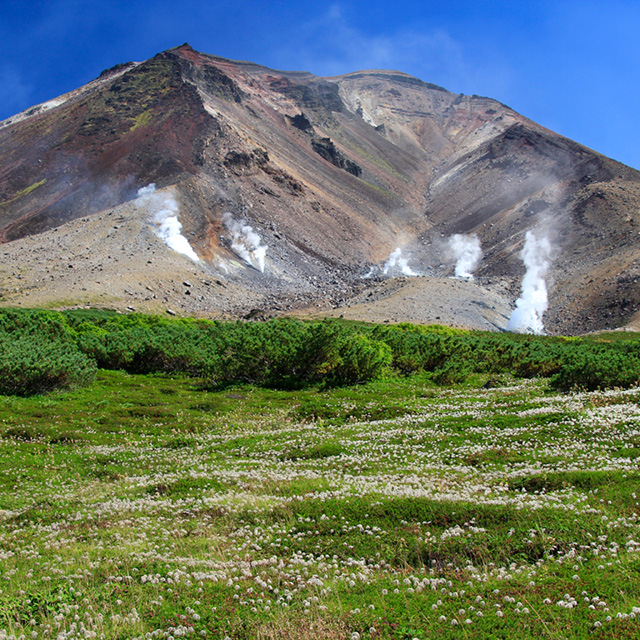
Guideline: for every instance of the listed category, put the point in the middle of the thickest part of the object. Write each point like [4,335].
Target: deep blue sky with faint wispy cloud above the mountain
[572,66]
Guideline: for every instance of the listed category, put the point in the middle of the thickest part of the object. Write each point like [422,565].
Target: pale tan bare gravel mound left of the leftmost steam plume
[112,260]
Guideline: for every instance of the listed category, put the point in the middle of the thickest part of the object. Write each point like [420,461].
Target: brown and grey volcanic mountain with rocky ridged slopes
[279,191]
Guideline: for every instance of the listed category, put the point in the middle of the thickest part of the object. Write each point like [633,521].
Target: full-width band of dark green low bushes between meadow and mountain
[44,350]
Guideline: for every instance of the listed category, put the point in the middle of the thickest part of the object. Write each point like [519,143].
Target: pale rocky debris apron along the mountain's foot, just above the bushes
[115,260]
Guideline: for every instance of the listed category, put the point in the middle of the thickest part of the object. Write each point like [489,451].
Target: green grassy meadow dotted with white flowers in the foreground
[148,506]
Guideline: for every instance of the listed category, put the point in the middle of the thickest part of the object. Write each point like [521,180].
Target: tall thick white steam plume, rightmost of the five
[533,301]
